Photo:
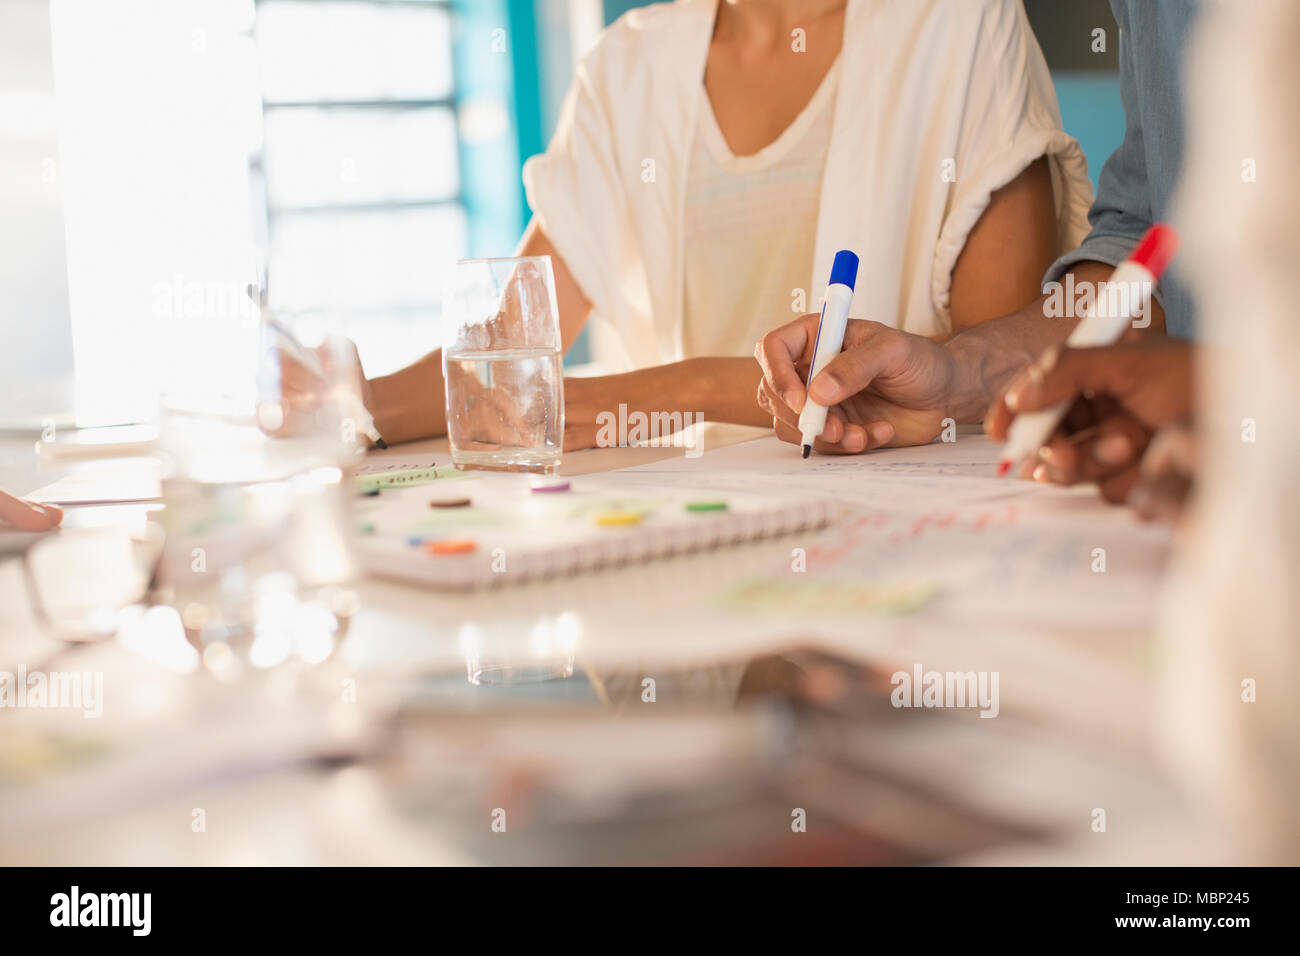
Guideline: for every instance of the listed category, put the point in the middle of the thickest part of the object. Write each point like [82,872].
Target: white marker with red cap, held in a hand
[1103,326]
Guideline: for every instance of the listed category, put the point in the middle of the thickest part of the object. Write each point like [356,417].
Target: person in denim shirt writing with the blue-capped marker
[894,388]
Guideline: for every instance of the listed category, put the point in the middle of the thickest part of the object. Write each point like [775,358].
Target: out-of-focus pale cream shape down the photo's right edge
[1232,638]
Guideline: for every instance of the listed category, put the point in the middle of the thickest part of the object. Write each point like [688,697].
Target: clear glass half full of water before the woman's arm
[501,360]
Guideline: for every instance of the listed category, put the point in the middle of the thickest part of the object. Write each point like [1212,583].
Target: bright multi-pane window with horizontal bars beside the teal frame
[361,168]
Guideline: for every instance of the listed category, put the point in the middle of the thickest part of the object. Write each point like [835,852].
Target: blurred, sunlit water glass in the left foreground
[257,547]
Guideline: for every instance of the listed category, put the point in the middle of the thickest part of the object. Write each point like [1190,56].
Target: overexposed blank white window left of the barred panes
[158,119]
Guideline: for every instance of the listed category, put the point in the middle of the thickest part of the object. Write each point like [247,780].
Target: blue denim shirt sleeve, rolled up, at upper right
[1139,178]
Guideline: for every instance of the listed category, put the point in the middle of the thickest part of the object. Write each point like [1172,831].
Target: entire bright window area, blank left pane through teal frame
[343,141]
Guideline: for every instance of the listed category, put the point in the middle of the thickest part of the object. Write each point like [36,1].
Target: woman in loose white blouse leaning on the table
[713,157]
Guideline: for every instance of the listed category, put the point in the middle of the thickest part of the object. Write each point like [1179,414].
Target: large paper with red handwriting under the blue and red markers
[938,520]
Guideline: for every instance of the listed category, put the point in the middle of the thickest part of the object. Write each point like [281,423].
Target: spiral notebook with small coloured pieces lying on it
[496,531]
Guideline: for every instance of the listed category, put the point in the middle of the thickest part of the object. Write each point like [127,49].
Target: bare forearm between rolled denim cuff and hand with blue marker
[990,356]
